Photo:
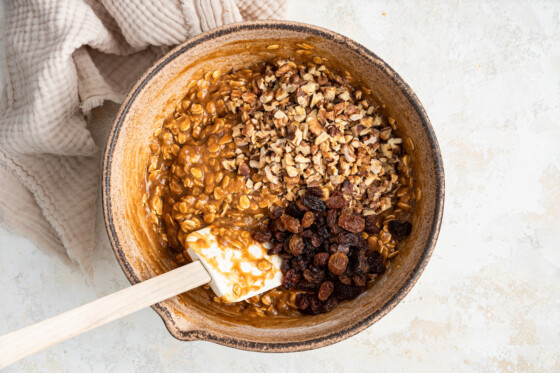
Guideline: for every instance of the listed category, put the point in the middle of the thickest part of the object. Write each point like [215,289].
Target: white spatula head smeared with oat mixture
[237,273]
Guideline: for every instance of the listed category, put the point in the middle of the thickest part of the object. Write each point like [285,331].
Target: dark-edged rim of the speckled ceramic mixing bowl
[307,344]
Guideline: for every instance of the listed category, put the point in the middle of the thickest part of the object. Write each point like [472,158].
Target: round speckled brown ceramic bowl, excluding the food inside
[193,316]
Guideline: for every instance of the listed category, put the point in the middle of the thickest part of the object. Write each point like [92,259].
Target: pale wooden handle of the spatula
[34,338]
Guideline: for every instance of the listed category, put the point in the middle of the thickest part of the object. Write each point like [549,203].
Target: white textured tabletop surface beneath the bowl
[489,78]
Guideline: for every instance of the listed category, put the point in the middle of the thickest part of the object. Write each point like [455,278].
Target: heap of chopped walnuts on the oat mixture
[310,127]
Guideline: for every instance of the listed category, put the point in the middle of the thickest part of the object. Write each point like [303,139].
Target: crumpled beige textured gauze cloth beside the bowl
[64,58]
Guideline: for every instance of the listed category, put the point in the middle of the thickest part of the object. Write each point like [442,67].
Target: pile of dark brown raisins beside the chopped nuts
[323,251]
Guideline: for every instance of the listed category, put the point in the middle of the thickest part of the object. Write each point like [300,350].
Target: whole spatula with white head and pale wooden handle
[234,274]
